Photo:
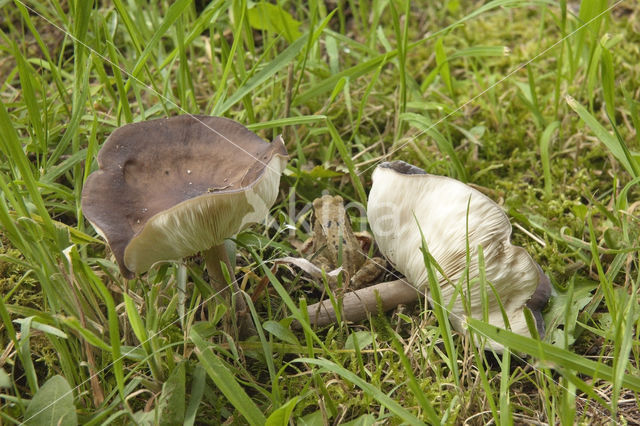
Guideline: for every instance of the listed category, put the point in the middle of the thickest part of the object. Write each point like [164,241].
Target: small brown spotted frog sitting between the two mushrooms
[335,244]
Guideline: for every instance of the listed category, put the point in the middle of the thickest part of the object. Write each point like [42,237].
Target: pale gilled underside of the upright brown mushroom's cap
[202,222]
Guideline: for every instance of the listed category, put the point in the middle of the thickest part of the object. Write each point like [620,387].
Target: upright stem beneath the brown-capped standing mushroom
[213,257]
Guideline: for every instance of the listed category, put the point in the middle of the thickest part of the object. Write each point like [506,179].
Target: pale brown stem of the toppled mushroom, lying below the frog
[356,304]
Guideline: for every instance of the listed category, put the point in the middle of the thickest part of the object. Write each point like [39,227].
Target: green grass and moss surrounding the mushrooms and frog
[533,102]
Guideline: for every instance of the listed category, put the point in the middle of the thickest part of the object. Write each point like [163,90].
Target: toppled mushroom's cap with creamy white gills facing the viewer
[404,200]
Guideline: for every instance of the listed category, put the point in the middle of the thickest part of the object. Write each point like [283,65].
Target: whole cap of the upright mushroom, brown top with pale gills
[171,187]
